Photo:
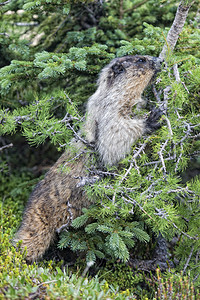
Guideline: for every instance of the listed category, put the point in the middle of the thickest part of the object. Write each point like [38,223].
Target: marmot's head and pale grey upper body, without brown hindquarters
[109,124]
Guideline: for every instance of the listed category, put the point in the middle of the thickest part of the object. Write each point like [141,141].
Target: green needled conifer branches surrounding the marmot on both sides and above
[50,55]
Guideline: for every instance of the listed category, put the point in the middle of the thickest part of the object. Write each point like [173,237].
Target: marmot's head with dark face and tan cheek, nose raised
[129,71]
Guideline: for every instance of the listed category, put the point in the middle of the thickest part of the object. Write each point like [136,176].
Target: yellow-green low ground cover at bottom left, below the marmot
[45,279]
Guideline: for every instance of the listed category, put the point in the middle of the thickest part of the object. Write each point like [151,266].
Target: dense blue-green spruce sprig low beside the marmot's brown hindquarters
[106,236]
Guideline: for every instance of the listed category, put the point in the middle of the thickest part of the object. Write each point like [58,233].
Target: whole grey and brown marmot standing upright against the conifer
[58,198]
